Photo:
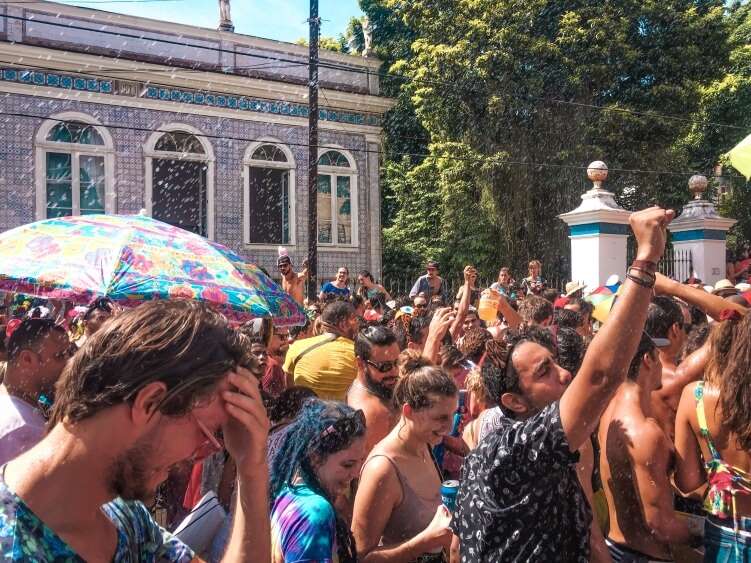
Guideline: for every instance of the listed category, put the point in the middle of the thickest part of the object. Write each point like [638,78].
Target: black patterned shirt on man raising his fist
[520,498]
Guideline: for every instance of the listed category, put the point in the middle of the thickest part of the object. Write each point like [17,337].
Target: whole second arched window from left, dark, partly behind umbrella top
[179,168]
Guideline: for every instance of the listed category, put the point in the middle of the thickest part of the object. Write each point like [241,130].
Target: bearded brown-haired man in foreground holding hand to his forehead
[151,389]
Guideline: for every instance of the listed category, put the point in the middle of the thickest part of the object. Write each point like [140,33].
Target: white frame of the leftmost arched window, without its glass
[42,146]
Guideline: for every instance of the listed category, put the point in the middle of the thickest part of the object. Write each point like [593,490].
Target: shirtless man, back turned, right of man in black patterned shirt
[635,461]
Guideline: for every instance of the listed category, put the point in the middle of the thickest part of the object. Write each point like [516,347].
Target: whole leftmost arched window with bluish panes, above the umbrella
[74,167]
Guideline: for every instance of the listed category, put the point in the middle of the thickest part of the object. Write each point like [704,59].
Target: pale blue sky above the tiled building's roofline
[274,19]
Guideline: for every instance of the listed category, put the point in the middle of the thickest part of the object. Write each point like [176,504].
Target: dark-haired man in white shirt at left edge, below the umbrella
[37,352]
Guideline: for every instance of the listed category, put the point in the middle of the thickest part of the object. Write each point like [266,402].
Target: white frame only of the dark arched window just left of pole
[291,167]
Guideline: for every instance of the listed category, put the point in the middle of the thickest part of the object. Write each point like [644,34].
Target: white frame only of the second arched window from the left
[208,157]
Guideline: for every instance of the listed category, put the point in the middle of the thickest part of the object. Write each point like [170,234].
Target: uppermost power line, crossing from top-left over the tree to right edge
[448,87]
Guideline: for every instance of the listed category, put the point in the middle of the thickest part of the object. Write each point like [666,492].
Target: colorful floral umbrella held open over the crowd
[132,259]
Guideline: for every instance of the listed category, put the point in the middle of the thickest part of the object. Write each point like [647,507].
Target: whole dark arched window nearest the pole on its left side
[269,205]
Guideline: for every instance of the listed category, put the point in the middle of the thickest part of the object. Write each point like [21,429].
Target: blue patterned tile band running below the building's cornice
[195,97]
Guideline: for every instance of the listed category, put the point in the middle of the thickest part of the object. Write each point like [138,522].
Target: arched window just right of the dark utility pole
[337,199]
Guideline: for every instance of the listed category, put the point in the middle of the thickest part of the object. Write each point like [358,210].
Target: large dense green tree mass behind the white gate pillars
[485,99]
